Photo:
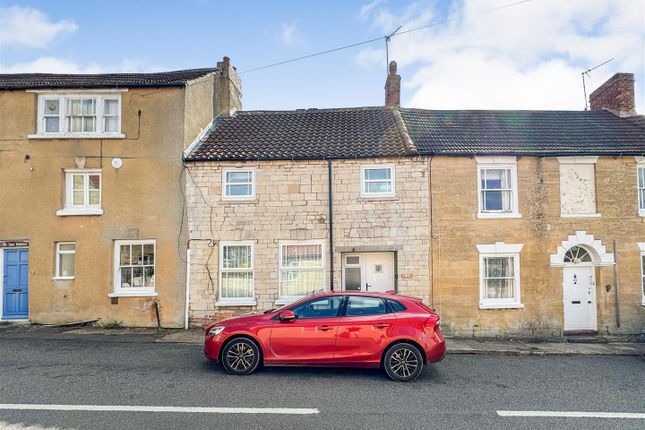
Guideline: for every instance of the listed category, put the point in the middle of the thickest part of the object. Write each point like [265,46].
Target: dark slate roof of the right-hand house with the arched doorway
[524,132]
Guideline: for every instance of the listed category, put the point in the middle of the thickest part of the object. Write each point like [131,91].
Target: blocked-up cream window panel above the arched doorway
[578,187]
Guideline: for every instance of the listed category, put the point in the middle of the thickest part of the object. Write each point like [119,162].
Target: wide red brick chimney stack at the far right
[615,95]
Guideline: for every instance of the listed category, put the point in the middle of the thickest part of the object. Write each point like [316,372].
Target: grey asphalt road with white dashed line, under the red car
[88,378]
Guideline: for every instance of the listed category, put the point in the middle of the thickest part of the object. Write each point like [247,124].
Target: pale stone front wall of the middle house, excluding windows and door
[292,204]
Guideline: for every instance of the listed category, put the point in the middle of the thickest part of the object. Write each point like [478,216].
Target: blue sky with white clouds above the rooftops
[528,55]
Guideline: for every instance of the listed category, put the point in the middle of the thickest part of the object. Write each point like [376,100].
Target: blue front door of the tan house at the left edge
[15,293]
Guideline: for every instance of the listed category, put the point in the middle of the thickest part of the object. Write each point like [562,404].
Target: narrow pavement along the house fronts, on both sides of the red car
[512,347]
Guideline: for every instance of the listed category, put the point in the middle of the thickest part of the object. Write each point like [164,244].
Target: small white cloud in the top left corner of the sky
[26,26]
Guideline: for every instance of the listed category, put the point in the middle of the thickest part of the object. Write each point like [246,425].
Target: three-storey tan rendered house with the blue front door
[91,187]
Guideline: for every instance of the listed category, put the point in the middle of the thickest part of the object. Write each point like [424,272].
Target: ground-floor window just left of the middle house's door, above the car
[302,270]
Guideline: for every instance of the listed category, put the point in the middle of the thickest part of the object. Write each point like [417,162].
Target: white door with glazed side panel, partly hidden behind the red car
[368,271]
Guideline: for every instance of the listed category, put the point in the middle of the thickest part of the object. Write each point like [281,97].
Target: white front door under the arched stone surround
[579,298]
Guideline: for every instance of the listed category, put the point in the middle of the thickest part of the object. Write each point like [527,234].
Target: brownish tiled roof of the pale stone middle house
[364,132]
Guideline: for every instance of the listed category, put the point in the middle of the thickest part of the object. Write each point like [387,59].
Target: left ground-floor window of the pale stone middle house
[236,274]
